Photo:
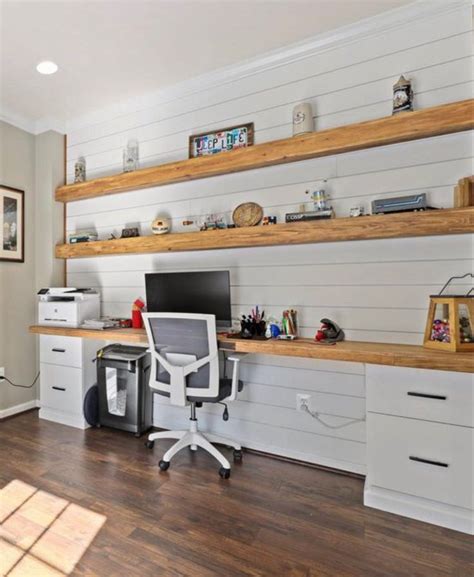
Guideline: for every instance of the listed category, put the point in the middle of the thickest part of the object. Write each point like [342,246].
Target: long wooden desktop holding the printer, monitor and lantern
[358,352]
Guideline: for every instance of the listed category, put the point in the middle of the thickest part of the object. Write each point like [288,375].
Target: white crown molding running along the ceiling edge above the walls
[361,30]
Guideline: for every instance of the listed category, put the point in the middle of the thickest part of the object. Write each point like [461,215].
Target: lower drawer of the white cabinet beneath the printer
[61,388]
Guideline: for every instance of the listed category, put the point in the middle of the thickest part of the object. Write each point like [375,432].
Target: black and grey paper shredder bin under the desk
[125,399]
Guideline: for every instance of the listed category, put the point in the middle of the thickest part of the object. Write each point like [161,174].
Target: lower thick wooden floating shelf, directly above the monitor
[429,223]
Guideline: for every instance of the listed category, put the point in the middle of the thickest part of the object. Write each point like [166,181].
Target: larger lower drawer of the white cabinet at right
[421,458]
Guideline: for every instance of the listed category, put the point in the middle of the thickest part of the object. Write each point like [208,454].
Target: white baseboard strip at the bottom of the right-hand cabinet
[421,509]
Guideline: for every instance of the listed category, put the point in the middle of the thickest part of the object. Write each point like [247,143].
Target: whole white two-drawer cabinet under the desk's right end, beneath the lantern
[420,445]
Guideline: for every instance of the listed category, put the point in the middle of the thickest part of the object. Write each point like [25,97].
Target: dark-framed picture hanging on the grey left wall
[12,224]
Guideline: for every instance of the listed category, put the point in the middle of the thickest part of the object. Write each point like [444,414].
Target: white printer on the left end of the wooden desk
[67,307]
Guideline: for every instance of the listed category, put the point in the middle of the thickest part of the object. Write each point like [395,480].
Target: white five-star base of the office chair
[194,439]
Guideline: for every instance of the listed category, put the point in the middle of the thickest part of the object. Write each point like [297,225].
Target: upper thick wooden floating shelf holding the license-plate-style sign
[448,118]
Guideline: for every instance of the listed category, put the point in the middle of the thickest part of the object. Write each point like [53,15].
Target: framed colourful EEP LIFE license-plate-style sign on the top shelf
[217,141]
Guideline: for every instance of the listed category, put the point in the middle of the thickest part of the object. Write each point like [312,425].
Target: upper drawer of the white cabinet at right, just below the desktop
[440,396]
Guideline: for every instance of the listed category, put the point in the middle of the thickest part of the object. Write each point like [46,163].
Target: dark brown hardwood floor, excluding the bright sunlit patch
[272,518]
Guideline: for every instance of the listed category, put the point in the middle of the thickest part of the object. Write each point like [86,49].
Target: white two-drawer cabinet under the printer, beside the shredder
[68,371]
